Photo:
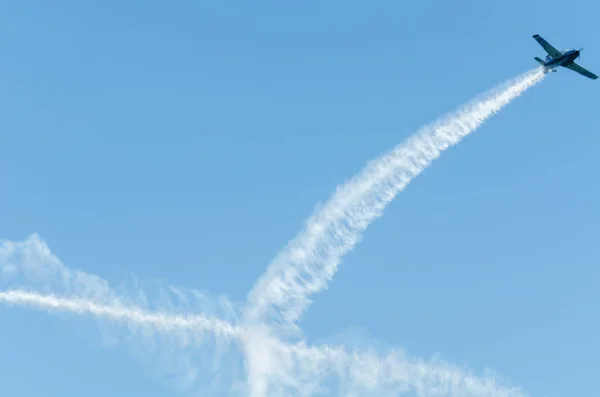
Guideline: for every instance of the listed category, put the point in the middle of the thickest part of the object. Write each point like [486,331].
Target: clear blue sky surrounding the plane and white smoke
[189,142]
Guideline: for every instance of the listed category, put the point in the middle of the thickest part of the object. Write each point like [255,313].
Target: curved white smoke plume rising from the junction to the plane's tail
[308,262]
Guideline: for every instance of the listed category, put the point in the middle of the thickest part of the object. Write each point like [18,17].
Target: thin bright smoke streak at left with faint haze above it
[31,275]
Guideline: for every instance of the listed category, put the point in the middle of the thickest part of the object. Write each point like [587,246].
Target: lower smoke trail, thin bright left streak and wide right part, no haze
[295,369]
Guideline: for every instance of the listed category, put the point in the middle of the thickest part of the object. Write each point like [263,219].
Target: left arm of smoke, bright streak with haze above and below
[189,339]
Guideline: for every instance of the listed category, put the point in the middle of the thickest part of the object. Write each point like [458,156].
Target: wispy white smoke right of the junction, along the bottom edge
[299,370]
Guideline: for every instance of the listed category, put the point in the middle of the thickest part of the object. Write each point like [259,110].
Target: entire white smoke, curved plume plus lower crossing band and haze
[208,346]
